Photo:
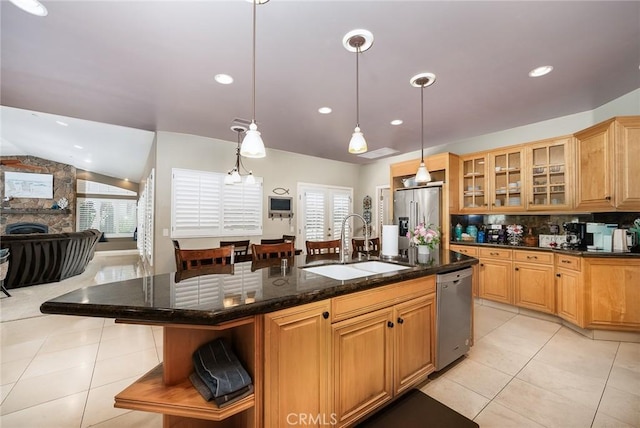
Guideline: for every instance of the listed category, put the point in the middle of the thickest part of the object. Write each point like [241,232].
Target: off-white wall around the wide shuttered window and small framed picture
[278,169]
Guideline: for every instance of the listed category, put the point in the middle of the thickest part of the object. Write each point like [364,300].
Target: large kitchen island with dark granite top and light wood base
[262,308]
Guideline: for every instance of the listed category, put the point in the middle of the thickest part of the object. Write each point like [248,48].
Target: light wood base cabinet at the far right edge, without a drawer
[613,293]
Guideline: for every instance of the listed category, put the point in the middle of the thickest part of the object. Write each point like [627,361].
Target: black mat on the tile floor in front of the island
[417,410]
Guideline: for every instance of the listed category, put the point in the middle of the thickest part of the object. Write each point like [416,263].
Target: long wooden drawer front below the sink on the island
[350,305]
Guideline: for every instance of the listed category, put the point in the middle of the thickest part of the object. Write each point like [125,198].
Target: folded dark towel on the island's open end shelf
[219,369]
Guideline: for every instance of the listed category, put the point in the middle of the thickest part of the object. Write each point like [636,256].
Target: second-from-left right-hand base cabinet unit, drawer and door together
[533,280]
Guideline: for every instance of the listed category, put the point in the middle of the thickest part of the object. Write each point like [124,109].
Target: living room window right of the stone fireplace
[110,209]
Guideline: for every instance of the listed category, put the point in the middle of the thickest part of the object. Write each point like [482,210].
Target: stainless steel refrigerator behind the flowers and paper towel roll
[413,206]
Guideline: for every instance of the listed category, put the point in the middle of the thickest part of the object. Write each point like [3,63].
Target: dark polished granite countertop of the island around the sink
[235,291]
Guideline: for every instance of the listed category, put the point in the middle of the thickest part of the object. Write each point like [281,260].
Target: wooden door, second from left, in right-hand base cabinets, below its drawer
[534,287]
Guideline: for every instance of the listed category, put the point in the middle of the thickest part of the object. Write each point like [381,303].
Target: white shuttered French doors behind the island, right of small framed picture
[322,210]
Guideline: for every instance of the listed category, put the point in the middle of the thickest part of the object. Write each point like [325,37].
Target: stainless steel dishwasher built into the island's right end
[453,316]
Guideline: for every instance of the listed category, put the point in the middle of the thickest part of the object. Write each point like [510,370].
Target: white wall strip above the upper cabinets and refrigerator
[377,174]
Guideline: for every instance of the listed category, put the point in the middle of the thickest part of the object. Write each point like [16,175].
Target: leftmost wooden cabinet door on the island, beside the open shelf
[297,366]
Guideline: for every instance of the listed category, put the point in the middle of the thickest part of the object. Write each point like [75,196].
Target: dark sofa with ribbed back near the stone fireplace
[39,258]
